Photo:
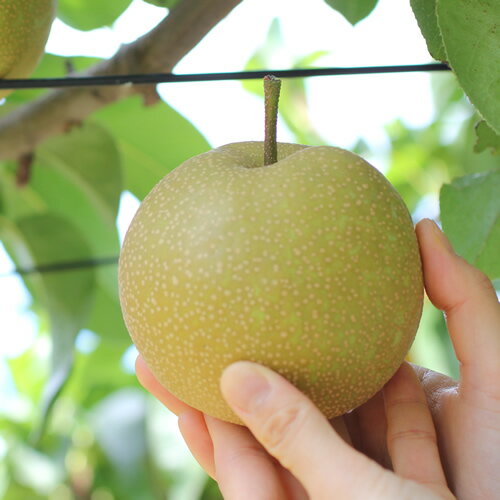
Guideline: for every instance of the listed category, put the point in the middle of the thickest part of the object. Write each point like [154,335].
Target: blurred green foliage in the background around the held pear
[106,438]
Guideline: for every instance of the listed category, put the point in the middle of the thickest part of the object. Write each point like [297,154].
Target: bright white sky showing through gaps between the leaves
[343,109]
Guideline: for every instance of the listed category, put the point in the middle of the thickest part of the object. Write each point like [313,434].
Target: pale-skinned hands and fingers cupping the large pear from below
[392,451]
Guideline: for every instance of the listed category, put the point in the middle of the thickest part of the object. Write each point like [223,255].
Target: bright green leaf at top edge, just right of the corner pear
[90,14]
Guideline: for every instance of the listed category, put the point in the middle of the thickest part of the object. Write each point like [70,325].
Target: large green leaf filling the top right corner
[471,37]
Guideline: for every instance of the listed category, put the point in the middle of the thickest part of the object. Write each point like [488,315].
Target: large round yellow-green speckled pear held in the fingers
[309,266]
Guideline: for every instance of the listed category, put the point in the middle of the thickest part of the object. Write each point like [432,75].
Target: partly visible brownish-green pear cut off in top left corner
[24,29]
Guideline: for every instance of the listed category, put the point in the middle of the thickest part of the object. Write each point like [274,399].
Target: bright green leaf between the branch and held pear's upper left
[152,141]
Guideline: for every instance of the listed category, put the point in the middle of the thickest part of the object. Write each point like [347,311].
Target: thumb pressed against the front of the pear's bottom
[294,431]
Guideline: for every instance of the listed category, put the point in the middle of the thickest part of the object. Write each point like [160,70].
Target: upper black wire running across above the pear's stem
[88,81]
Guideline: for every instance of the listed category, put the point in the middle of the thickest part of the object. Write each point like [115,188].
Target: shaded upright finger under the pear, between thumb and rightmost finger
[411,437]
